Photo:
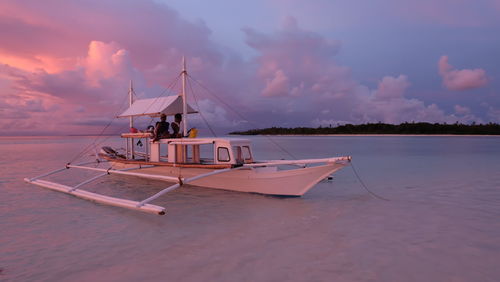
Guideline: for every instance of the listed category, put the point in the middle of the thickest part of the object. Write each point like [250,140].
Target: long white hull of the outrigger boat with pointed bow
[263,180]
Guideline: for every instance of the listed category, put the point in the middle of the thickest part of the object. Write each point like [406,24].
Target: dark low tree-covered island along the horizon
[383,128]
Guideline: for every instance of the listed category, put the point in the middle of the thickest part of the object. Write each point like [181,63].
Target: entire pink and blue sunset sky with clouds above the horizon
[65,66]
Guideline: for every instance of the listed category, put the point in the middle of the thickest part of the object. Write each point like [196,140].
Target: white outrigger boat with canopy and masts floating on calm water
[219,163]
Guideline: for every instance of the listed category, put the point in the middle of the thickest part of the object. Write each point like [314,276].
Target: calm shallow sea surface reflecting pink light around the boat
[442,222]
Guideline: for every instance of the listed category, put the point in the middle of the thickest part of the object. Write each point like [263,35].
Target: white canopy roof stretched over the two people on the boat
[154,107]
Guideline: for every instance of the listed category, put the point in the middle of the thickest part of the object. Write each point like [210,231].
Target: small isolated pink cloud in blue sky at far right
[460,80]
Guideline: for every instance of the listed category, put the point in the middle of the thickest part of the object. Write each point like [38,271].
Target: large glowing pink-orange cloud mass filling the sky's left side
[61,60]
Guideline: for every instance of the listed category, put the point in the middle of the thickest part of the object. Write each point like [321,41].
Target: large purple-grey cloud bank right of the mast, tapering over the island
[292,58]
